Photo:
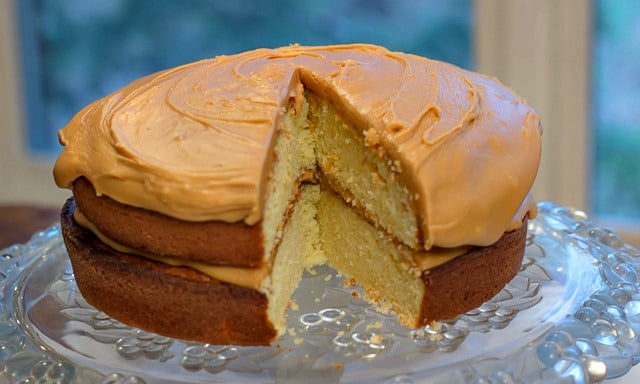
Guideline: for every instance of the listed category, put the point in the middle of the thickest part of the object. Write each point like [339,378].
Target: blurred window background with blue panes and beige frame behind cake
[576,61]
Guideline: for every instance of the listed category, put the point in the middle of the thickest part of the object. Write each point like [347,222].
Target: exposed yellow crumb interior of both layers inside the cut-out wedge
[358,217]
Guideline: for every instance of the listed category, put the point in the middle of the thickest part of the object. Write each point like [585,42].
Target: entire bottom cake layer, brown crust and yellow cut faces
[186,304]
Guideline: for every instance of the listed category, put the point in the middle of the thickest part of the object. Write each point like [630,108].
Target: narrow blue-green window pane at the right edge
[616,112]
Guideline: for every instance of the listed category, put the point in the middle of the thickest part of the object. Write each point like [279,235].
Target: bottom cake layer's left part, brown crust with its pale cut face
[184,303]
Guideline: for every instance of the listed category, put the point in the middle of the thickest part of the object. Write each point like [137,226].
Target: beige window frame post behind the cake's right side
[546,56]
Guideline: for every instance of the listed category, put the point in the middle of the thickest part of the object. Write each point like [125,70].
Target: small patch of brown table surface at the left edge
[19,222]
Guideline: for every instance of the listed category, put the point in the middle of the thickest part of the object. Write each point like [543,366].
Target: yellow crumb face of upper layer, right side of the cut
[360,175]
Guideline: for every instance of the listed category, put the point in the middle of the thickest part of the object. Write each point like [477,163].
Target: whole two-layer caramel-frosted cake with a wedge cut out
[201,193]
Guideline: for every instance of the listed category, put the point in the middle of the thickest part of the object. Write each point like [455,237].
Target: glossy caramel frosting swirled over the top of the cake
[195,142]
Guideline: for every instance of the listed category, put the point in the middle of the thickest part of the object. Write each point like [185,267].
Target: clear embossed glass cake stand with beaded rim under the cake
[570,315]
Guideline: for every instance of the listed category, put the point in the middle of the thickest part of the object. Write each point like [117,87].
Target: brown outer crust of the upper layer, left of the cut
[213,242]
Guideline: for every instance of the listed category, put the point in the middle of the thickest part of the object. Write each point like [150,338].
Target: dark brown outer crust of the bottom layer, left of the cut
[173,301]
